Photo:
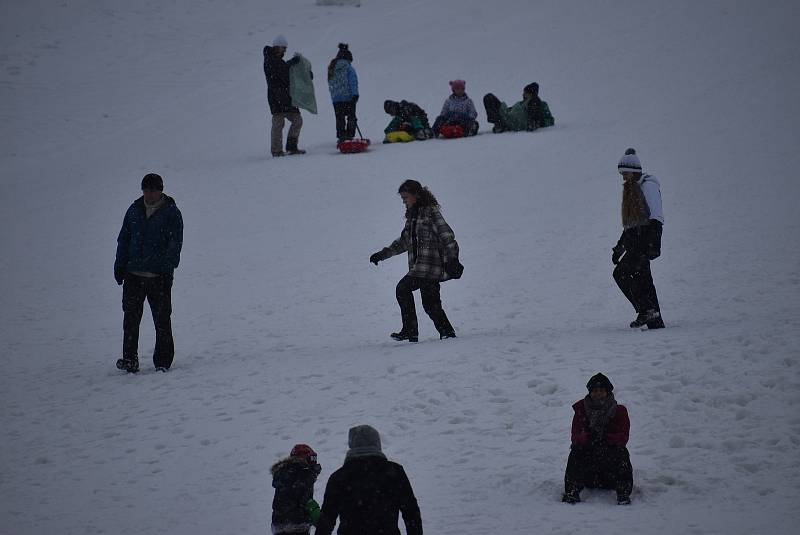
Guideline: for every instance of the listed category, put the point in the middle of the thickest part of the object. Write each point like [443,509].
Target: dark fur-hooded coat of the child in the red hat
[293,480]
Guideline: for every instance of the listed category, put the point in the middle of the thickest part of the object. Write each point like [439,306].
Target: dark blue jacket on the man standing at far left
[151,244]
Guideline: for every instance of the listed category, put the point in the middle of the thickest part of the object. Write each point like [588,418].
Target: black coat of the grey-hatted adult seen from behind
[366,495]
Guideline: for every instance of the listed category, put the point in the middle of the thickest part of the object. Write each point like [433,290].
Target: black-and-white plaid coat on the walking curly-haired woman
[429,241]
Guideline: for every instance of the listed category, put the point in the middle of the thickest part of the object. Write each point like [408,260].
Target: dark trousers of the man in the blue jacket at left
[158,292]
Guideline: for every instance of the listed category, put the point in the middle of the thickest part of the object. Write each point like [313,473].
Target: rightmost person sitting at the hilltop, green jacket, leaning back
[528,114]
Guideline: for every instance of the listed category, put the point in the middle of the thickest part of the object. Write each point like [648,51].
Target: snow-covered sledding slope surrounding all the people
[281,323]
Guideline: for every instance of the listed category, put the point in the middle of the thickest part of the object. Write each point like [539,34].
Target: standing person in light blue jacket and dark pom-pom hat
[343,86]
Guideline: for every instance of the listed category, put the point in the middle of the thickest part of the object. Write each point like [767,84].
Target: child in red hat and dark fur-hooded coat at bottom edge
[293,508]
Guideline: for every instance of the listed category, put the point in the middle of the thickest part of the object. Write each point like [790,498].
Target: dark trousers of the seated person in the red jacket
[600,467]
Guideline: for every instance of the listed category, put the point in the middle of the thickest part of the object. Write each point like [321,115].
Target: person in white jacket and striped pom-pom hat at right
[640,243]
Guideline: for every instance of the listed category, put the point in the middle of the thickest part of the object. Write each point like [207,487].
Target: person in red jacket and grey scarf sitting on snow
[598,457]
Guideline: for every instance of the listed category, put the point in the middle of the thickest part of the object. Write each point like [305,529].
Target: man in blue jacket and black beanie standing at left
[148,251]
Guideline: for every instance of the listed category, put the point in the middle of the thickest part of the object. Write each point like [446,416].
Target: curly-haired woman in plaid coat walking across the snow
[432,258]
